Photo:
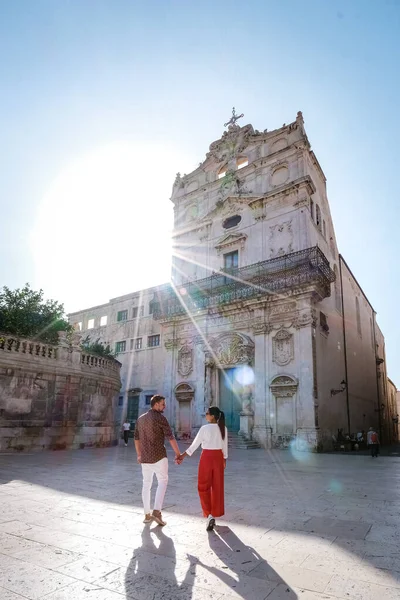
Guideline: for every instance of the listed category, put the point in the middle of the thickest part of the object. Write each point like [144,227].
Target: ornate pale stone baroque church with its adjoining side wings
[262,315]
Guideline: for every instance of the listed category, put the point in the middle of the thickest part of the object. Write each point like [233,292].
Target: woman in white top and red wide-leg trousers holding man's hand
[213,438]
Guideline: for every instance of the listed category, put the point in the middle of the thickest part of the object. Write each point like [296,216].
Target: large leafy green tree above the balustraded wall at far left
[24,313]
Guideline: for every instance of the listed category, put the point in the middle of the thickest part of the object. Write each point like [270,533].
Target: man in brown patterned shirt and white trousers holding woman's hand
[150,432]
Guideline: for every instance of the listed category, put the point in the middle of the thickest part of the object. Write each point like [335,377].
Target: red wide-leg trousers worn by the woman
[211,482]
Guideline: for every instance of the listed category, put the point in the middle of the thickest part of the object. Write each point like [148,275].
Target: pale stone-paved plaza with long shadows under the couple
[303,526]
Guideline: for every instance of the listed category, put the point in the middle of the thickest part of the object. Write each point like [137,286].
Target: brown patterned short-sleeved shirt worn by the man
[151,430]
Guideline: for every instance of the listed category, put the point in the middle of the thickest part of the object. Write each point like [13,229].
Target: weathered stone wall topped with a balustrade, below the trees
[55,397]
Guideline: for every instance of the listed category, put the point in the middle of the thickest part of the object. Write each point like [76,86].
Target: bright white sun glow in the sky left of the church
[103,227]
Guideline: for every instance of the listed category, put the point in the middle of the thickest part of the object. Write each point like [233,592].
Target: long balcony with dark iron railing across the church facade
[291,272]
